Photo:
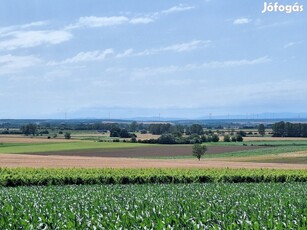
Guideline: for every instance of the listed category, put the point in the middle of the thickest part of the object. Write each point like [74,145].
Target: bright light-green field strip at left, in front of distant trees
[67,146]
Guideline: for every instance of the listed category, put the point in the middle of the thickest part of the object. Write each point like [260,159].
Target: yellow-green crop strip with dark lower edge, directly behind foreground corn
[41,176]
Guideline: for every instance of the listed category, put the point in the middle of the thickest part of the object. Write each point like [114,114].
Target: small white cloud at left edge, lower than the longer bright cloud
[11,64]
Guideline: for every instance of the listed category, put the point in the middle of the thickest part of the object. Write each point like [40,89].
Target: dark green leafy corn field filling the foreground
[158,206]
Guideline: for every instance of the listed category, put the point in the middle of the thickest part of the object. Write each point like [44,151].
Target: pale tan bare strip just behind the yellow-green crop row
[18,160]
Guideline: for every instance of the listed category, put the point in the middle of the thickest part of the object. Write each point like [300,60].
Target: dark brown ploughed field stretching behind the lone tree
[148,151]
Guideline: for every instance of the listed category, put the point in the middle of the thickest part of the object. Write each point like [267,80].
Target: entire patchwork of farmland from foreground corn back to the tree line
[91,181]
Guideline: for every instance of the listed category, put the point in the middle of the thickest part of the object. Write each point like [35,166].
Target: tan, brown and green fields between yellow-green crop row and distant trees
[42,152]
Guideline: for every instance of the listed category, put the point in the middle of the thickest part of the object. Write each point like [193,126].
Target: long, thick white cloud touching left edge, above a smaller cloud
[26,39]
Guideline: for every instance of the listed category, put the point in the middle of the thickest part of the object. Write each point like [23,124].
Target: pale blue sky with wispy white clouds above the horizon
[133,58]
